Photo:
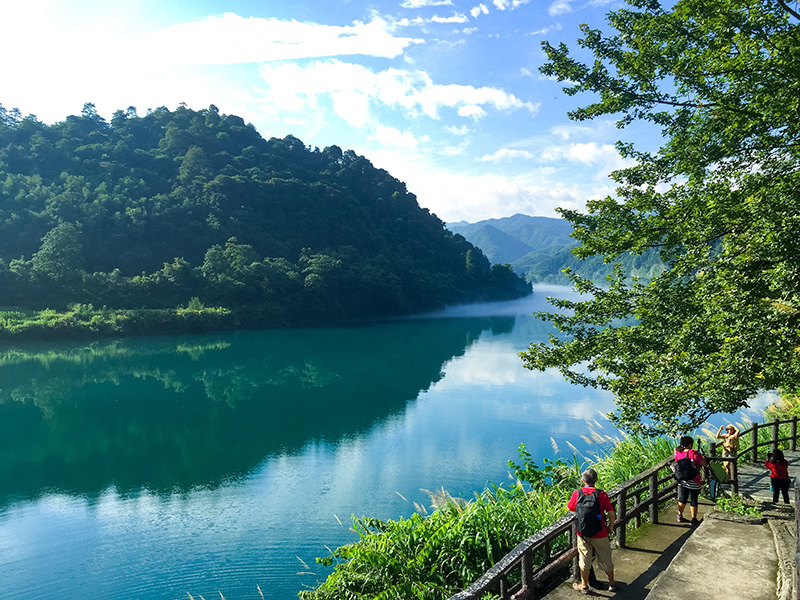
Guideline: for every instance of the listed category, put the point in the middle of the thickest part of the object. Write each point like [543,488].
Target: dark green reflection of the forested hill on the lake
[167,415]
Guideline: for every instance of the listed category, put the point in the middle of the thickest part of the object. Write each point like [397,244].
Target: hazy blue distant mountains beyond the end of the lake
[539,249]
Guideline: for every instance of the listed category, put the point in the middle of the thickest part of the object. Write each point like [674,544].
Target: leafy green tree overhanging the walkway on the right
[719,200]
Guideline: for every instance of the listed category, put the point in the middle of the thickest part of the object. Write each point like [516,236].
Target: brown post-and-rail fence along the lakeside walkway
[534,562]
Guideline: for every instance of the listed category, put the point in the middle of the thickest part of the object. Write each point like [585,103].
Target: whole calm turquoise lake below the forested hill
[159,468]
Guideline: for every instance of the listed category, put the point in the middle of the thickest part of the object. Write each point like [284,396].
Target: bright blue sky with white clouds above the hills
[443,94]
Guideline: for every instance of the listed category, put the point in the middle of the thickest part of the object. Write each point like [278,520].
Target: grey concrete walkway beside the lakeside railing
[727,557]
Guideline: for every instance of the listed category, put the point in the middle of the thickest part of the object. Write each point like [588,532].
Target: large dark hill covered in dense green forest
[194,209]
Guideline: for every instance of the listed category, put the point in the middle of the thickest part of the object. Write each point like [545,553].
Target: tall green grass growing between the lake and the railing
[431,557]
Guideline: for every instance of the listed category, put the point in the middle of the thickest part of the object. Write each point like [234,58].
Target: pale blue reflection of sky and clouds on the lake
[260,528]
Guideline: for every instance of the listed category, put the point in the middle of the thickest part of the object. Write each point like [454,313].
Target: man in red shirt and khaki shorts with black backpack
[594,538]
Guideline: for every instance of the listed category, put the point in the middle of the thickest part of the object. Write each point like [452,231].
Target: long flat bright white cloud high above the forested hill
[231,39]
